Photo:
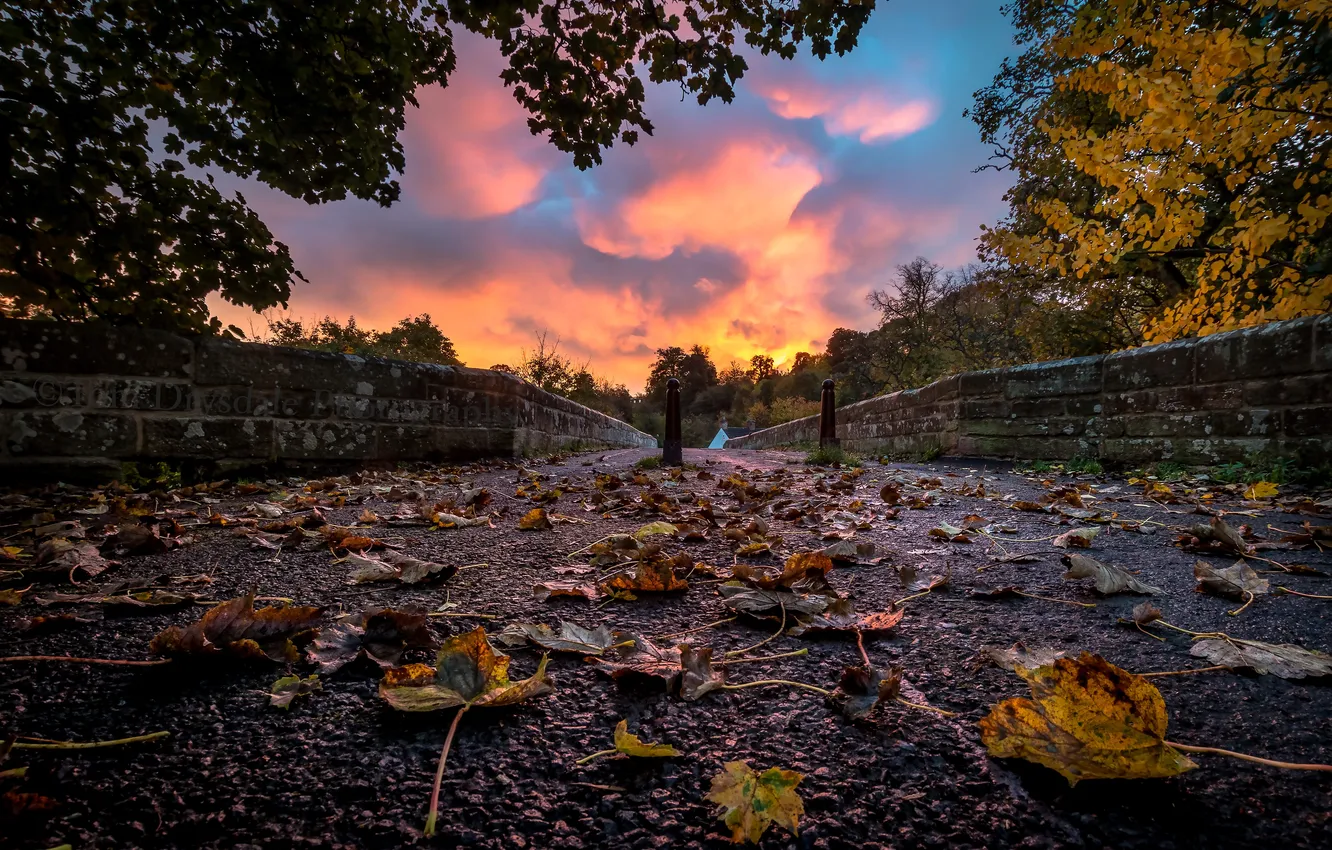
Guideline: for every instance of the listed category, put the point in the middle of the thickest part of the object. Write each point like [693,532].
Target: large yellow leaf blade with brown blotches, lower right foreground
[1088,720]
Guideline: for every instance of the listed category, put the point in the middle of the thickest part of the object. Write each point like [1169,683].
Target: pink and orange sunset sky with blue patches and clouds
[756,227]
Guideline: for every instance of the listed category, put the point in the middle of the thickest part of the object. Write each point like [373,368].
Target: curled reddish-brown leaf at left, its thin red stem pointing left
[239,630]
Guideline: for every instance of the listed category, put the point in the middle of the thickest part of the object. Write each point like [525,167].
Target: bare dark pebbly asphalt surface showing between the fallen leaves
[340,769]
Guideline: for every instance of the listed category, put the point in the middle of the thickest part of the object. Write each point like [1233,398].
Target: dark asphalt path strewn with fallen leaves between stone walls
[965,552]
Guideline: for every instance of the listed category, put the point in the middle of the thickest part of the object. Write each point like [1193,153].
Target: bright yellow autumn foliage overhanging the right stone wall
[1217,161]
